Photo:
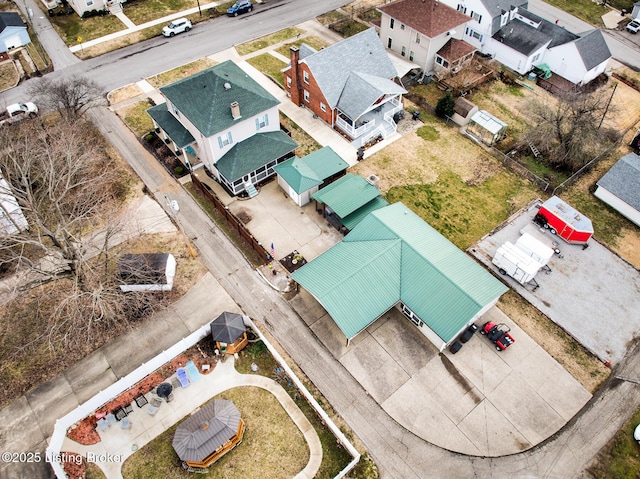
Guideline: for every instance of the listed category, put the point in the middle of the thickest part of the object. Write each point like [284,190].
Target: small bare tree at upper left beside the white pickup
[71,97]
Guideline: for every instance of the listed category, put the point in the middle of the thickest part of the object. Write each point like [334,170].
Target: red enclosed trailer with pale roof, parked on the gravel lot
[565,221]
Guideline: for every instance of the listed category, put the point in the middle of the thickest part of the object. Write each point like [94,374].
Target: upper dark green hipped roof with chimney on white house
[205,101]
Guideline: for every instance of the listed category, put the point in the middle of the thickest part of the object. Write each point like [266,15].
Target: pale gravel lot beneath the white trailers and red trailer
[593,294]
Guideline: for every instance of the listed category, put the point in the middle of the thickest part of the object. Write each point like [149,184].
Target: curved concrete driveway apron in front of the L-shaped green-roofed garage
[478,401]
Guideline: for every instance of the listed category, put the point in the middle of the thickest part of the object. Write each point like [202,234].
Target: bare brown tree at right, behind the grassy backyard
[568,133]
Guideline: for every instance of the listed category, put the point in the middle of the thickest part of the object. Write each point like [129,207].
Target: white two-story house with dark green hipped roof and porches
[223,120]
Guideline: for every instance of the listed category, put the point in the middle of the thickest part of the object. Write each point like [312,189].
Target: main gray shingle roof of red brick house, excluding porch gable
[332,66]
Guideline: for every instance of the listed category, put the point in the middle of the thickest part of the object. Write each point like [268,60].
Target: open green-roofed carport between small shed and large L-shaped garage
[348,200]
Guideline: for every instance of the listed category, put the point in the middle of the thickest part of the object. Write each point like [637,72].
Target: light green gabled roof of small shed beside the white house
[304,173]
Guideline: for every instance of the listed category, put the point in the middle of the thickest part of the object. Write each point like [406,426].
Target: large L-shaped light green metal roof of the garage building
[358,279]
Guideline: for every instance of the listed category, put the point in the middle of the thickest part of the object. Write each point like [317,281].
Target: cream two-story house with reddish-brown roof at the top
[428,32]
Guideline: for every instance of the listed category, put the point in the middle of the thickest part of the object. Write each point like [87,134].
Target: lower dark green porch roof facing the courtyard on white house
[254,152]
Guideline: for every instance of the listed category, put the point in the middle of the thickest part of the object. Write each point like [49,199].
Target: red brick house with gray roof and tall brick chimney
[350,85]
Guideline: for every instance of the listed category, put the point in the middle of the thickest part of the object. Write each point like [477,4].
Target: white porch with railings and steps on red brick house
[377,121]
